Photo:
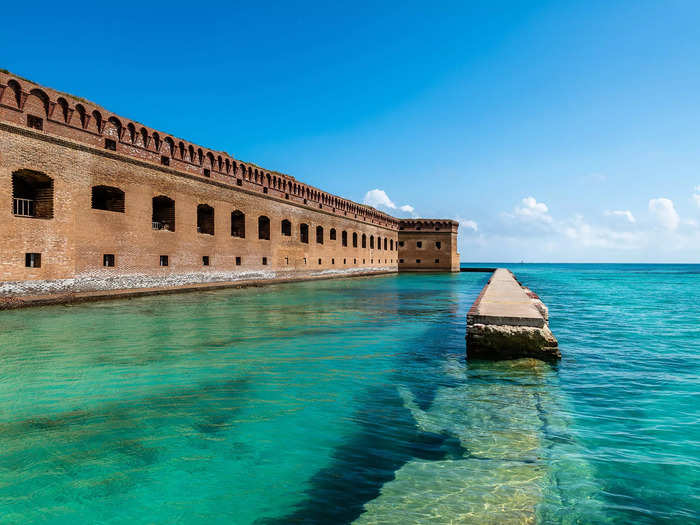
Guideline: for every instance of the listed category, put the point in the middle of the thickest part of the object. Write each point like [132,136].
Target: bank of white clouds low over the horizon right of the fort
[530,232]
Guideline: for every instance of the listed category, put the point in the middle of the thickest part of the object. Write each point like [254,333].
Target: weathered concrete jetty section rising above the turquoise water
[509,321]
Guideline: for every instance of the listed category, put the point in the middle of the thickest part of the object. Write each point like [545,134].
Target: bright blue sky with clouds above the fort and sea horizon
[554,131]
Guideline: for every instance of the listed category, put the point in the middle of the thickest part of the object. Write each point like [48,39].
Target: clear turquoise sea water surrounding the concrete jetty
[351,401]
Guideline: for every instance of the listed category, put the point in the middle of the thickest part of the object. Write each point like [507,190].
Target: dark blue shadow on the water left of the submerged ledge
[387,438]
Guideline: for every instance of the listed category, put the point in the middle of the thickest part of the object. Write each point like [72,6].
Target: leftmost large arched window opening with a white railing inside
[32,194]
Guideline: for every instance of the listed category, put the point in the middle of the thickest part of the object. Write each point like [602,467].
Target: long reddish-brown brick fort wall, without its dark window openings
[70,149]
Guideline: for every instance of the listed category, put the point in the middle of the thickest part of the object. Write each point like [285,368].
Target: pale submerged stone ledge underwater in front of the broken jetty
[508,471]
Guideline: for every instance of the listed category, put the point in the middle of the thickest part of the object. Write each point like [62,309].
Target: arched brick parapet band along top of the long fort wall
[25,103]
